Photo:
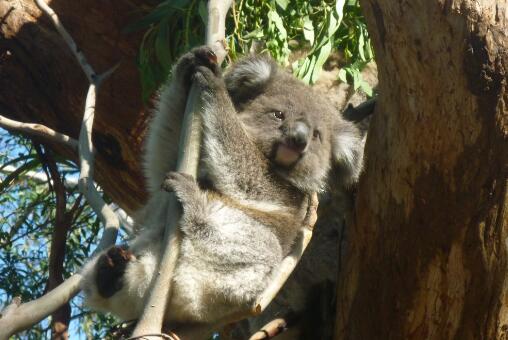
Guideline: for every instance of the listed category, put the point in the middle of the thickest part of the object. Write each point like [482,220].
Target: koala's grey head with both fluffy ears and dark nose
[295,127]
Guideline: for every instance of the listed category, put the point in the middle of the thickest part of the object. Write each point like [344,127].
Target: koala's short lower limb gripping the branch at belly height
[193,200]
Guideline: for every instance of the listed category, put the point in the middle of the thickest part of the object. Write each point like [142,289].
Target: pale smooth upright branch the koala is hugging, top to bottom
[151,321]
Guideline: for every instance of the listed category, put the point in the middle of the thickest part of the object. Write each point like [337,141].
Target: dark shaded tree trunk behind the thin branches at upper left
[41,82]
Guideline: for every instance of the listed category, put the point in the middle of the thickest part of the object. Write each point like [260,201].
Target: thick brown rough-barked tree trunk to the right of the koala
[427,248]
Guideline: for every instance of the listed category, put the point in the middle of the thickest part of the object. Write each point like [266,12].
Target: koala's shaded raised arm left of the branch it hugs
[164,131]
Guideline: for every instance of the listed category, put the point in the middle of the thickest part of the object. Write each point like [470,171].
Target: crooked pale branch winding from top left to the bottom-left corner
[25,315]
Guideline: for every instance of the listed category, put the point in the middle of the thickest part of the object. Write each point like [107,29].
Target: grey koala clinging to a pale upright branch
[269,142]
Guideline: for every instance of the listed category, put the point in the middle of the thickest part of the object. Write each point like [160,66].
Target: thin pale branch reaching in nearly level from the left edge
[38,130]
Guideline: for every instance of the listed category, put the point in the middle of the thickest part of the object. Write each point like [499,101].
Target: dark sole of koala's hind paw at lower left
[110,269]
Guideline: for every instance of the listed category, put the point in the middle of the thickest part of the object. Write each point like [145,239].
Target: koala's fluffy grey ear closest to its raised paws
[249,76]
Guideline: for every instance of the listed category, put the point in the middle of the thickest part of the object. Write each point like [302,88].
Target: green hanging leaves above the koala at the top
[281,27]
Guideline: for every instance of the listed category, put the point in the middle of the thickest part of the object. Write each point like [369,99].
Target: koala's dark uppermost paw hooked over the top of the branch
[199,56]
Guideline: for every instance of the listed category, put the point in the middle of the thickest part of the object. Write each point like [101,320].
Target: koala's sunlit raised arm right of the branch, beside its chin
[234,163]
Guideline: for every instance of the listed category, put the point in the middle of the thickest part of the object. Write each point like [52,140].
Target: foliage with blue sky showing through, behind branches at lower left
[27,216]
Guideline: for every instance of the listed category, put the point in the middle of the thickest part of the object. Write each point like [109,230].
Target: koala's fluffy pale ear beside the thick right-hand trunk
[347,150]
